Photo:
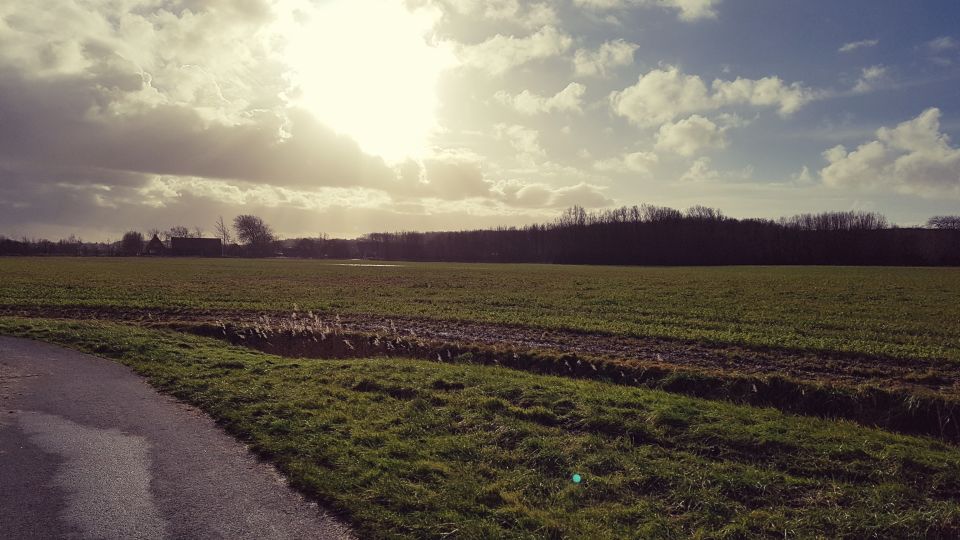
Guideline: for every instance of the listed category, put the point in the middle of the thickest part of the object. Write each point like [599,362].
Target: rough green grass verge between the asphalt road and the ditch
[408,448]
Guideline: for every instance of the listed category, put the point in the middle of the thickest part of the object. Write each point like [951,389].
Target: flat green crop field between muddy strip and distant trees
[895,312]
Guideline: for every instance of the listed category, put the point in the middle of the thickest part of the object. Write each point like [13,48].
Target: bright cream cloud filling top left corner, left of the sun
[144,56]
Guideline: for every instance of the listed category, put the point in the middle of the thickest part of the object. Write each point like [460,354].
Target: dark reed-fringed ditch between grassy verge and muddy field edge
[914,413]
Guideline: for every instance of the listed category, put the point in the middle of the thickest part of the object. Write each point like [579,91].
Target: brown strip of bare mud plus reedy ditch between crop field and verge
[909,395]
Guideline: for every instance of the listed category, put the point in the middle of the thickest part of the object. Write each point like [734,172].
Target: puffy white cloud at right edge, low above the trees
[914,157]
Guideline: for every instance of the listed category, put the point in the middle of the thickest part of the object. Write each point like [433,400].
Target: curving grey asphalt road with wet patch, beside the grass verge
[89,450]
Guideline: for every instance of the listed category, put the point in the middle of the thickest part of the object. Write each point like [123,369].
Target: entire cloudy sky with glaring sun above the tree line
[344,117]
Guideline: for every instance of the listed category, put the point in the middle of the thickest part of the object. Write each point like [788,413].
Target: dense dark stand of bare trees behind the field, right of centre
[654,235]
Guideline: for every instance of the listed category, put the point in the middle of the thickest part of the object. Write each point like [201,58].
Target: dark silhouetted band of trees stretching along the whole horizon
[637,235]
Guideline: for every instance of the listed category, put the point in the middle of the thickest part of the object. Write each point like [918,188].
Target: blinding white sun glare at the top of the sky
[367,69]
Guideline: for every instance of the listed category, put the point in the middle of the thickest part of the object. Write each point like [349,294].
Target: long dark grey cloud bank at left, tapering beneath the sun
[69,122]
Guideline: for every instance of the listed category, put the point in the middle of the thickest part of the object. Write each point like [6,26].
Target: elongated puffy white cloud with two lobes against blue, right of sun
[662,95]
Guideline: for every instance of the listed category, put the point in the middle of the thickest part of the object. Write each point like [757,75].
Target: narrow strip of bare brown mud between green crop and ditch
[918,376]
